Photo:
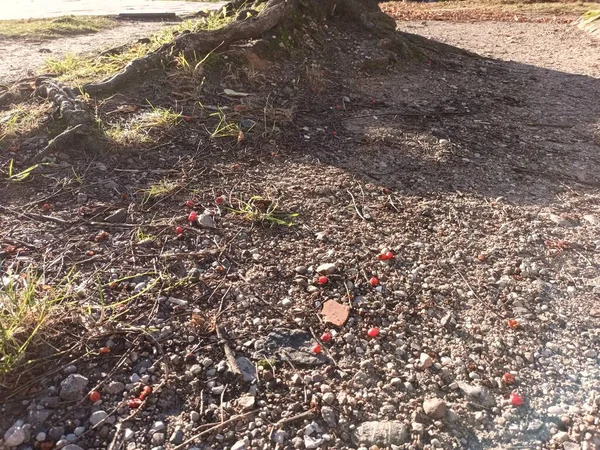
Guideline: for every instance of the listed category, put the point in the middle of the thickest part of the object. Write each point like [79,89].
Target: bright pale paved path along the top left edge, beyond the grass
[26,9]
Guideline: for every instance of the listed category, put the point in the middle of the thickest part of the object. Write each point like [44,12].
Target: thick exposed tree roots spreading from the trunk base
[366,14]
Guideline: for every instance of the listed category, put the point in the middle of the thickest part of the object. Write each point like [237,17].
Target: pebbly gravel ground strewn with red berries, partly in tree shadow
[445,261]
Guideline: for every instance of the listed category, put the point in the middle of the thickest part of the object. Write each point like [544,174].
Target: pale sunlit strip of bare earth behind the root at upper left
[23,57]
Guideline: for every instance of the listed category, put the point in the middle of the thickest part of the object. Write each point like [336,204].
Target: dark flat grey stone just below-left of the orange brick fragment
[294,346]
